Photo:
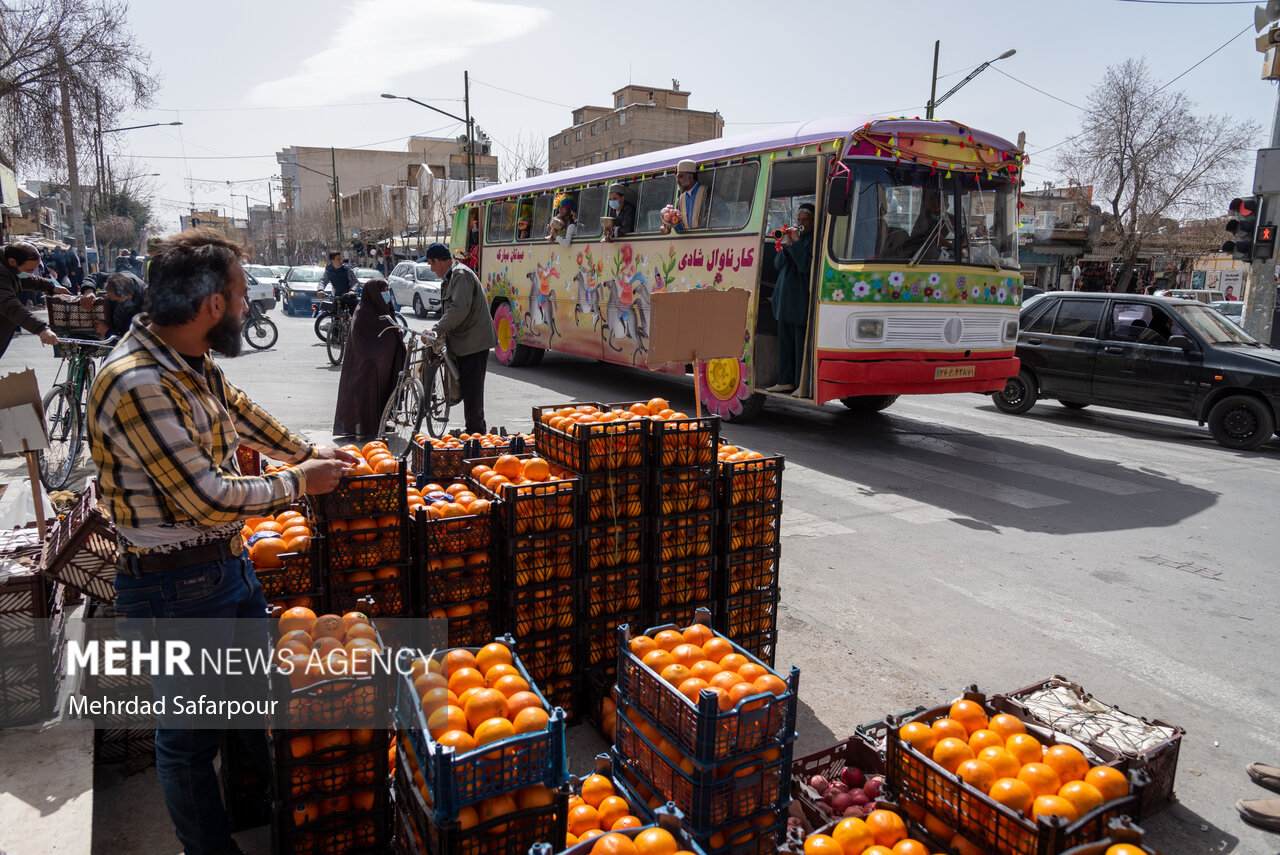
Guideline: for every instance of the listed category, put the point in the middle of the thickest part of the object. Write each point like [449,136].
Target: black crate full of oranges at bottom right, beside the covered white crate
[1009,787]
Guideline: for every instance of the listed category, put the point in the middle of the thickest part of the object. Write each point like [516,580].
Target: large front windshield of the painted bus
[902,214]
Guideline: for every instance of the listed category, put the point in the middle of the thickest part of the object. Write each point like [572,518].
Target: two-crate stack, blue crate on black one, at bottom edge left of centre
[444,799]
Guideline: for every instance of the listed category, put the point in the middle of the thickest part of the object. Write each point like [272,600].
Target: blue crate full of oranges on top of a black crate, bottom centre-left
[478,728]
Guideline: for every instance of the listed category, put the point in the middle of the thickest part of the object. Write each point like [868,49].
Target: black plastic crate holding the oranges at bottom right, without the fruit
[982,820]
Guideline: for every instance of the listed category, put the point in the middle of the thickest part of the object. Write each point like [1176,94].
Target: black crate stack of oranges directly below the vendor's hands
[365,560]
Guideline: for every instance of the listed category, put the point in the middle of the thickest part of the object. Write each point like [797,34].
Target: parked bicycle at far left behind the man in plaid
[66,406]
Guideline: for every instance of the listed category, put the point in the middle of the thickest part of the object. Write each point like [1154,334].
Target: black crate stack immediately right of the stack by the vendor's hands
[456,575]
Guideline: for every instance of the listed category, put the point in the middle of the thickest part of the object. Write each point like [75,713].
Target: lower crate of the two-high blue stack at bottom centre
[711,798]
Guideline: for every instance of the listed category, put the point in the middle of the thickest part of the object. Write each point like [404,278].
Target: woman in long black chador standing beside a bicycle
[371,365]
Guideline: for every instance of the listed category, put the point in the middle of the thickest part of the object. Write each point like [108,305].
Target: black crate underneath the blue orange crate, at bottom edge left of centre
[514,834]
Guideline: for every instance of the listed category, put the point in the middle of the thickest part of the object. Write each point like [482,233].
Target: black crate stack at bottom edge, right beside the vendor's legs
[330,751]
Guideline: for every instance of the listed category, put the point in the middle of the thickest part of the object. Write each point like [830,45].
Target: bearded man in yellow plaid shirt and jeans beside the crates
[163,432]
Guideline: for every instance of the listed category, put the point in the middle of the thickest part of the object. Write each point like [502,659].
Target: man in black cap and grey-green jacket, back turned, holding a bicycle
[467,327]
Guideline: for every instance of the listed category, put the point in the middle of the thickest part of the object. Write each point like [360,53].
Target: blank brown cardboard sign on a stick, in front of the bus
[703,324]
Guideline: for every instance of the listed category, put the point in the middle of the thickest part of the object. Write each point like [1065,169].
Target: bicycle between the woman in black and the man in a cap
[419,394]
